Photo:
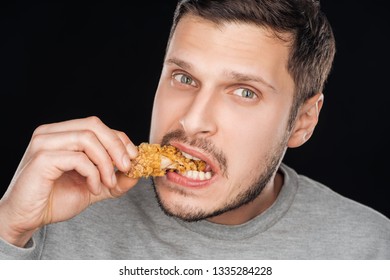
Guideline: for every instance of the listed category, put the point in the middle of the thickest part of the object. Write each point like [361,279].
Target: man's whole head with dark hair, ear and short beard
[241,82]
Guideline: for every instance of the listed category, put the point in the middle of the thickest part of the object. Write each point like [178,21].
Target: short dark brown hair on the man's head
[308,31]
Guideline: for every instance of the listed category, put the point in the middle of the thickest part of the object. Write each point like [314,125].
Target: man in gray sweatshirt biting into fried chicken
[242,82]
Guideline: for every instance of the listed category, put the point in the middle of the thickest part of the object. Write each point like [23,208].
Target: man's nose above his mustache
[200,118]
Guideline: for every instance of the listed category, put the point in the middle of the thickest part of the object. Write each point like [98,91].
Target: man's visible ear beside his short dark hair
[306,121]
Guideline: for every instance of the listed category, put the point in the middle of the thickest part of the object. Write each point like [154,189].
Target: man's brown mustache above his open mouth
[201,143]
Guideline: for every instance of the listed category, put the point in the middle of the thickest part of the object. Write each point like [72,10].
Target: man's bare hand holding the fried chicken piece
[67,166]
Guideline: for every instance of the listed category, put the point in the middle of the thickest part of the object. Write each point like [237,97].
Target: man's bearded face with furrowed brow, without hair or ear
[224,96]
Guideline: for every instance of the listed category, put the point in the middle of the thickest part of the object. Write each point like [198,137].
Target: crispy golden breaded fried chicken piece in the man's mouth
[156,160]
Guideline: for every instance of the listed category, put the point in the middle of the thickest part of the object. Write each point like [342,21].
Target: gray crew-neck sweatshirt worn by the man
[307,221]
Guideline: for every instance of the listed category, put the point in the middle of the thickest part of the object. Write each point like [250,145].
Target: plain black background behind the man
[65,60]
